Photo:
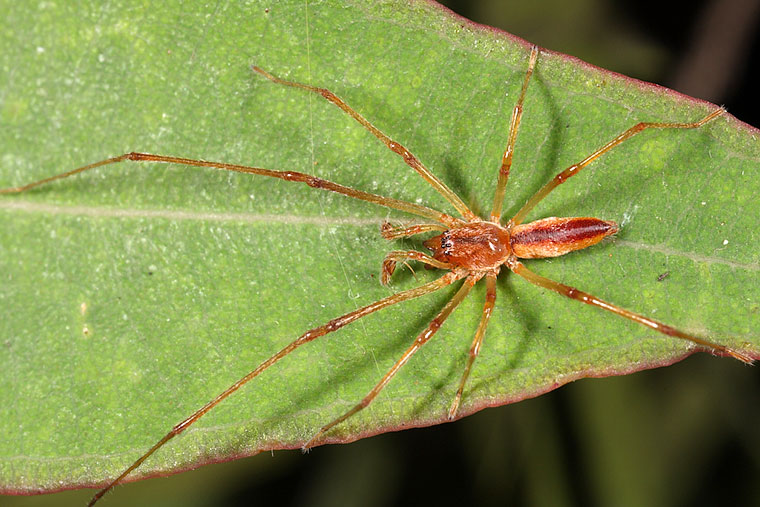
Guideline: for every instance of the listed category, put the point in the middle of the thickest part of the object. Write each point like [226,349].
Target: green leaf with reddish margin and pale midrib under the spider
[134,294]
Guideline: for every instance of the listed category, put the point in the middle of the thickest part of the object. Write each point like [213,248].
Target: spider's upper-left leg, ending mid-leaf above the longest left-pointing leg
[397,148]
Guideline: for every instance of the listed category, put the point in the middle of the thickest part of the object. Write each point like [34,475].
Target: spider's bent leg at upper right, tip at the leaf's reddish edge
[575,168]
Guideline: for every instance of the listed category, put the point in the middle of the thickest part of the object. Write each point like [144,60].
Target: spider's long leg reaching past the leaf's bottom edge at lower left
[308,336]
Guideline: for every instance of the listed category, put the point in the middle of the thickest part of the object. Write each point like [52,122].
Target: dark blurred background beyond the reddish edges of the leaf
[682,435]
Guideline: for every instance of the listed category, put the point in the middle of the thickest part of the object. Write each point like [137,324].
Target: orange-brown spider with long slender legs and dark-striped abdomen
[469,248]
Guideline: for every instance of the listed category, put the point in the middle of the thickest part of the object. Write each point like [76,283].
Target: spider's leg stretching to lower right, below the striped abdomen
[589,299]
